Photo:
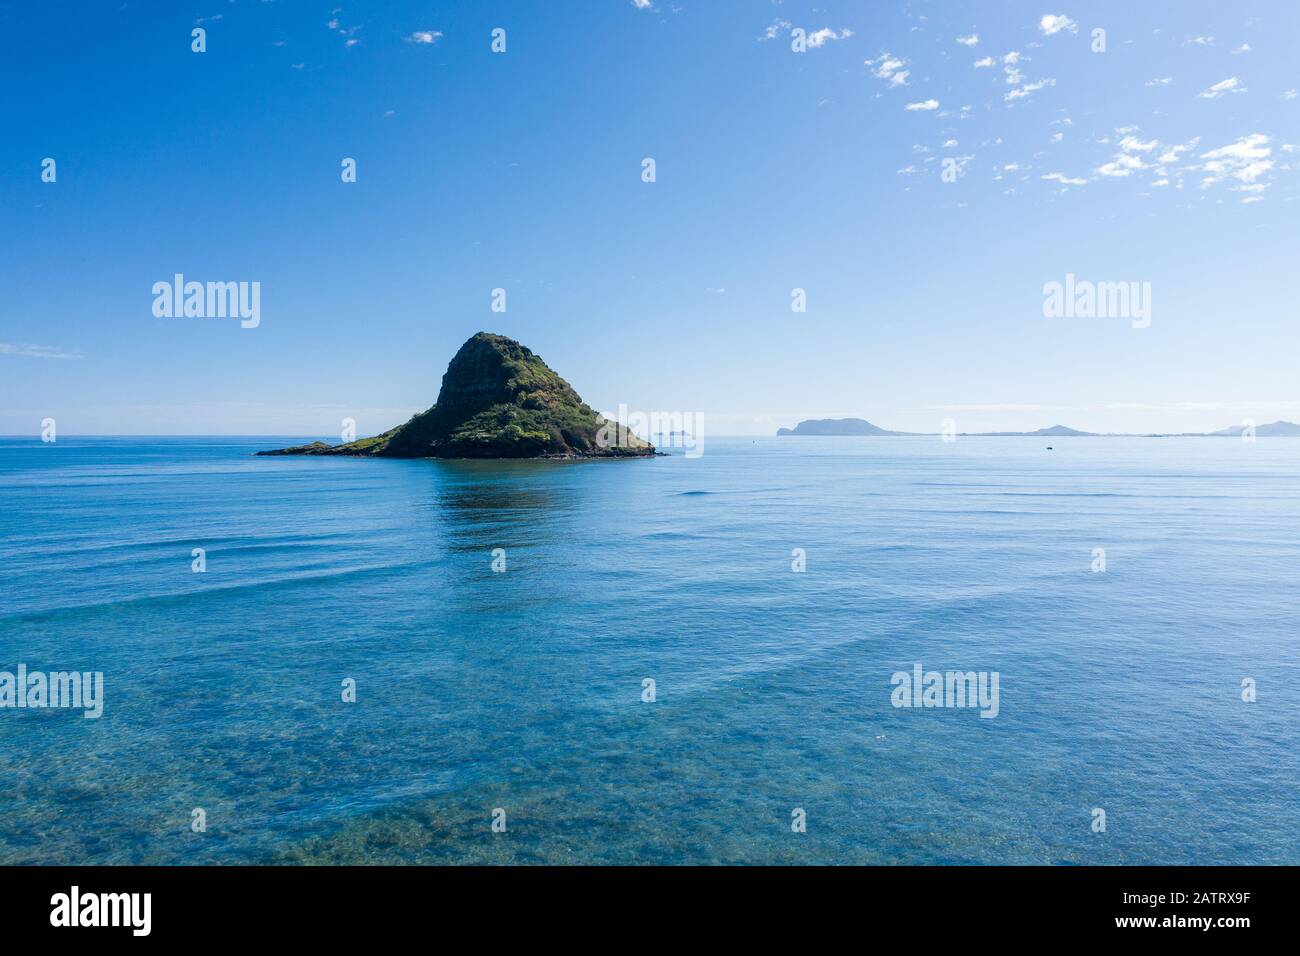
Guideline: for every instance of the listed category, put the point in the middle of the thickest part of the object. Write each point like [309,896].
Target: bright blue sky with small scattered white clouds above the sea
[1168,159]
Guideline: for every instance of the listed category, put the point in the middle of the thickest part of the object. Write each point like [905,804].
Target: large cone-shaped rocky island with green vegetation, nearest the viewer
[499,400]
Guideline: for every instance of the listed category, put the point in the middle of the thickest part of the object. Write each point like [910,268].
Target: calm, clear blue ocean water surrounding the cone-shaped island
[523,690]
